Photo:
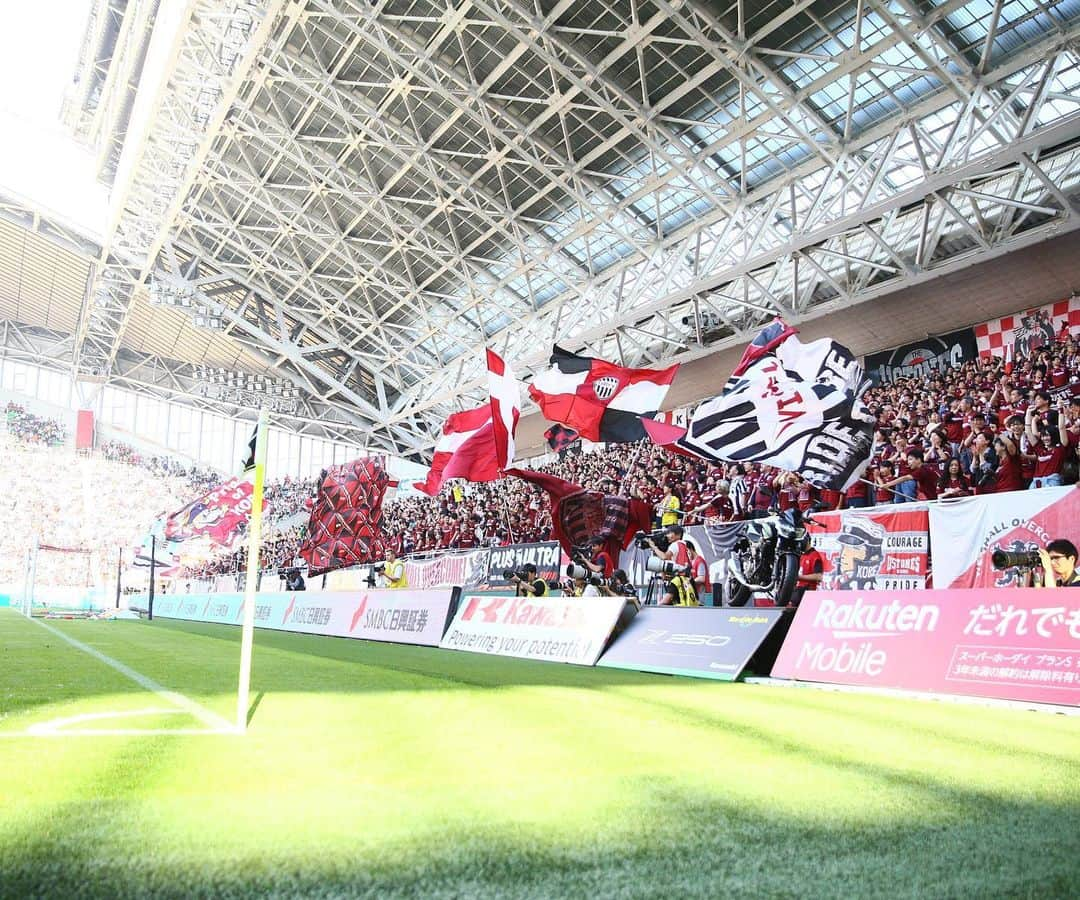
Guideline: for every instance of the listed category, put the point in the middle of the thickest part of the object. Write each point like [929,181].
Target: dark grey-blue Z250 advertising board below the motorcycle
[693,641]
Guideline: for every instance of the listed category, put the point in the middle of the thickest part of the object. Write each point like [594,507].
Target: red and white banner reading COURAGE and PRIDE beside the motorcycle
[884,549]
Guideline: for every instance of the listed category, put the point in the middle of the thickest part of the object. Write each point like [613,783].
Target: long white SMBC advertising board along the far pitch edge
[398,617]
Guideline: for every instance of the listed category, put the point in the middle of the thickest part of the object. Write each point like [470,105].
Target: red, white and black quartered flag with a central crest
[601,400]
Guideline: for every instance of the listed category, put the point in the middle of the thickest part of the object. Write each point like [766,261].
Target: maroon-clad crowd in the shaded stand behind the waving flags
[985,426]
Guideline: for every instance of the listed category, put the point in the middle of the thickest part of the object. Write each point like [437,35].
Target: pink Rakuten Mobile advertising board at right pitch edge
[1010,644]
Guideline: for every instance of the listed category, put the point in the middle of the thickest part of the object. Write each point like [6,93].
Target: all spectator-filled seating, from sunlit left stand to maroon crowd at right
[982,427]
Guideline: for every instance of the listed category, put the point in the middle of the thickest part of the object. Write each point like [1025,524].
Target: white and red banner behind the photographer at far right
[966,532]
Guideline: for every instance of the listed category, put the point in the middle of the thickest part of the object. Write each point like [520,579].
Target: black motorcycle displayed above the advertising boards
[766,559]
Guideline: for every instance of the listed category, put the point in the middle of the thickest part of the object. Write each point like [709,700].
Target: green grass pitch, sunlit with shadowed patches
[379,771]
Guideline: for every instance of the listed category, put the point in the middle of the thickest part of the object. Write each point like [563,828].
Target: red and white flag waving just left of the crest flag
[478,445]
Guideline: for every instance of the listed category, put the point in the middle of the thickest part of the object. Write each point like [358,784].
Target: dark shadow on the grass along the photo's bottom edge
[667,842]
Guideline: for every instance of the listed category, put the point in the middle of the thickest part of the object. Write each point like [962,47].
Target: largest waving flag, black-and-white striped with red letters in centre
[798,407]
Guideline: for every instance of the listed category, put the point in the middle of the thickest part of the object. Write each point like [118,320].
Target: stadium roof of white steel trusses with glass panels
[367,194]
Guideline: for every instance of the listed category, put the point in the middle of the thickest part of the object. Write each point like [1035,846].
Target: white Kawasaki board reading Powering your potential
[552,629]
